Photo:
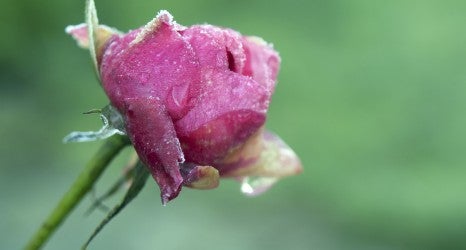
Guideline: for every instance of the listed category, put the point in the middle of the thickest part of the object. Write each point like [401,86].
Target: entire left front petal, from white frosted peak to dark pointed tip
[150,76]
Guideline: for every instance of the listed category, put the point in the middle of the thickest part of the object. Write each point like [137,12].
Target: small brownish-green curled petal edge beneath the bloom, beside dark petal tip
[199,177]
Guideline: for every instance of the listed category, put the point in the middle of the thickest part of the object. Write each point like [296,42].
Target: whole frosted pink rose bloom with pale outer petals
[194,101]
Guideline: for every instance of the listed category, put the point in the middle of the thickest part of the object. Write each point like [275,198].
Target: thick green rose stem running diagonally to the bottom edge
[80,187]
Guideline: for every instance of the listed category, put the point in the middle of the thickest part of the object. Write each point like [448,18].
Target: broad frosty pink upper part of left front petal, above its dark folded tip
[160,64]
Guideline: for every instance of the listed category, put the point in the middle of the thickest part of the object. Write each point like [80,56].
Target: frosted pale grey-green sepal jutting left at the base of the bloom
[113,124]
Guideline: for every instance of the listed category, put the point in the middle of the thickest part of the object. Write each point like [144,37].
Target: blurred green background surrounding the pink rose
[371,95]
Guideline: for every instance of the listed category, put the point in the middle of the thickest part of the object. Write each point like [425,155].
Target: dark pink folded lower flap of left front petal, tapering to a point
[153,135]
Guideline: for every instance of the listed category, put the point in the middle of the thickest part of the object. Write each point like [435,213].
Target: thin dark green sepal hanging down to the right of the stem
[140,178]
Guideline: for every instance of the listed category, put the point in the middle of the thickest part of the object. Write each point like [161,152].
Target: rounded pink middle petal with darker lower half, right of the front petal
[227,113]
